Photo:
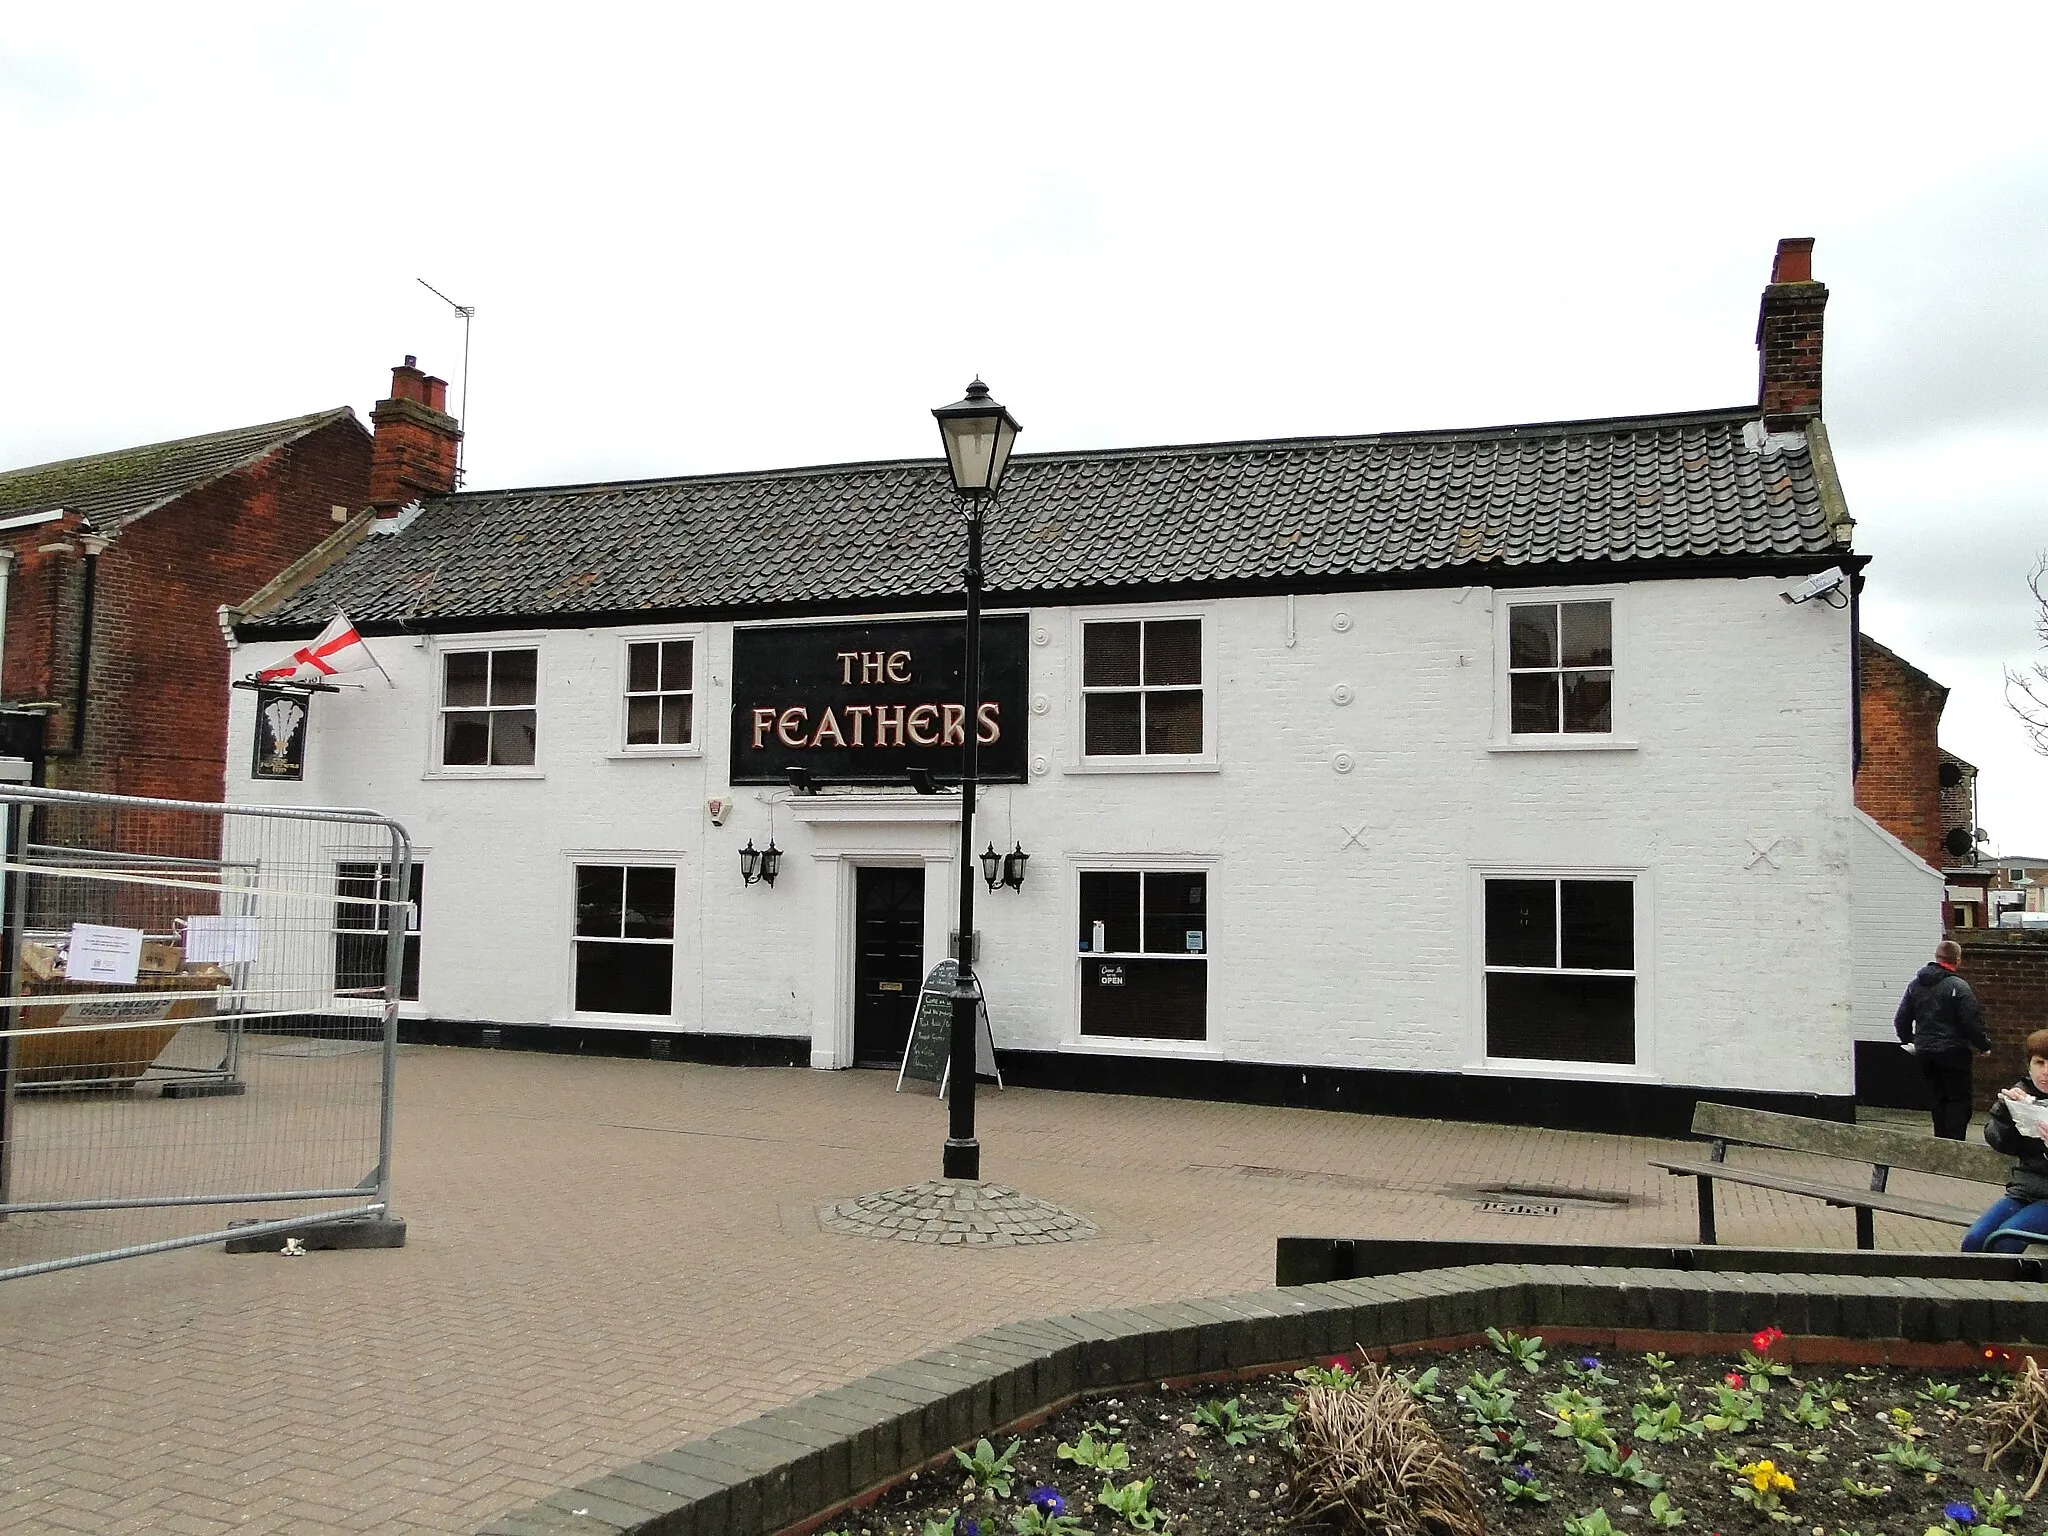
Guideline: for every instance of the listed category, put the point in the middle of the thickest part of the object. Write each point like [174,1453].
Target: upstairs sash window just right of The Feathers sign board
[1142,689]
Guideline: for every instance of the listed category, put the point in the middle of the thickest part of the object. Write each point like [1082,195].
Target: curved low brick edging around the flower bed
[794,1467]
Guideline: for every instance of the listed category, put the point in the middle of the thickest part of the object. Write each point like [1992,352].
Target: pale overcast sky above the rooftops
[742,237]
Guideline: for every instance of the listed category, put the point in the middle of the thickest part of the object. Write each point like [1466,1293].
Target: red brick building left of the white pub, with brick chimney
[116,566]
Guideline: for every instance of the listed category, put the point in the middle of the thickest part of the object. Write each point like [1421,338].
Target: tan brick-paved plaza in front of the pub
[611,1256]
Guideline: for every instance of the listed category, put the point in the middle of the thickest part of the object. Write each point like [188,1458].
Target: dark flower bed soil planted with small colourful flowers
[1207,1488]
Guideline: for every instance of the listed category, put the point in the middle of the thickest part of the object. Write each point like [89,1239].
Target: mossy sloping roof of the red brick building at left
[116,488]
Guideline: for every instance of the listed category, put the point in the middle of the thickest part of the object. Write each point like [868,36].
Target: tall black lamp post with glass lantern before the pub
[978,437]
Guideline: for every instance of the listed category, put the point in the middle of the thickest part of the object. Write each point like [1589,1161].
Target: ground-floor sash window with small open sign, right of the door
[1146,955]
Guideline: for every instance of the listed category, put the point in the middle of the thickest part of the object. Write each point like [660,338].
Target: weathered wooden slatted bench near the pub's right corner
[1877,1148]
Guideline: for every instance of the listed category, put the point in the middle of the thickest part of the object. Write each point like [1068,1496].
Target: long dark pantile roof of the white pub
[1420,507]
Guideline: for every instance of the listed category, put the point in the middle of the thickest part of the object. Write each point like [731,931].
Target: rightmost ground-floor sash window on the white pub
[1562,970]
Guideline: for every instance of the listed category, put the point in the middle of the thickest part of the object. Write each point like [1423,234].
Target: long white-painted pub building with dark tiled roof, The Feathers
[1480,773]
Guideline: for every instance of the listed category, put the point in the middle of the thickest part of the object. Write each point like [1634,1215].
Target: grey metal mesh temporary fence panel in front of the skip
[202,1023]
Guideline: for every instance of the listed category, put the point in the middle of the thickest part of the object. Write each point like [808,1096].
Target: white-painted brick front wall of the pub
[1345,906]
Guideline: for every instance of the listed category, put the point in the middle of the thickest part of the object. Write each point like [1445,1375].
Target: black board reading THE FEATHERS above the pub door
[865,703]
